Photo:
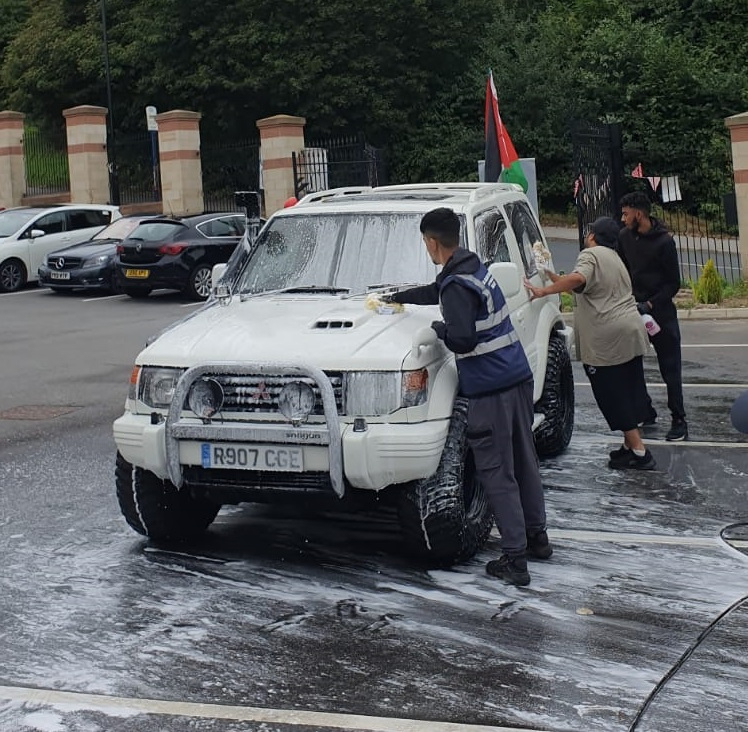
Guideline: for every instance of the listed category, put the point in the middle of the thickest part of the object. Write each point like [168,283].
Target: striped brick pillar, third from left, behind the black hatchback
[181,167]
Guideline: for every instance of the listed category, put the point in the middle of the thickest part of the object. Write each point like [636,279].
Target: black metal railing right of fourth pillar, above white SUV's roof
[337,162]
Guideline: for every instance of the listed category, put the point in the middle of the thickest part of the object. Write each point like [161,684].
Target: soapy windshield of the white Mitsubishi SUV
[352,251]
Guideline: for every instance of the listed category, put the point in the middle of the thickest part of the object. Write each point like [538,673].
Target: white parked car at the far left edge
[28,235]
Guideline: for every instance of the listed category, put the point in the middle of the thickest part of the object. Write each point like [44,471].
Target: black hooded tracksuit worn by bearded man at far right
[652,262]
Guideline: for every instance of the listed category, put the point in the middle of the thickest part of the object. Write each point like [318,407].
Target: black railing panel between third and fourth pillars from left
[228,166]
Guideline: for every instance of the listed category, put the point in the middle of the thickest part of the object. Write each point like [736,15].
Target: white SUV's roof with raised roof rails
[409,197]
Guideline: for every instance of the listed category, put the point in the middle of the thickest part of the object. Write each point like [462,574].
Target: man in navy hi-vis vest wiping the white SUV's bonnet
[496,379]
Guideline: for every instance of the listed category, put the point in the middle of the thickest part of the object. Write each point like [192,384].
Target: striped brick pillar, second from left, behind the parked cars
[87,155]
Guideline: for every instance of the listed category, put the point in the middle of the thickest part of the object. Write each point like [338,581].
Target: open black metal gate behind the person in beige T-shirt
[598,162]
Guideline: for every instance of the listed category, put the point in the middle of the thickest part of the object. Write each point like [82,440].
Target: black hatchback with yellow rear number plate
[177,253]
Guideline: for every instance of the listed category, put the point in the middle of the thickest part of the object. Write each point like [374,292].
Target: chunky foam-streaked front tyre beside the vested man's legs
[446,518]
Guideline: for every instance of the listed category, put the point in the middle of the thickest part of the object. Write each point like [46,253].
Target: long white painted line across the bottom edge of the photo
[291,717]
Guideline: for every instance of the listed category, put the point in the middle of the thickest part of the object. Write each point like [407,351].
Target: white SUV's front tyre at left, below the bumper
[156,508]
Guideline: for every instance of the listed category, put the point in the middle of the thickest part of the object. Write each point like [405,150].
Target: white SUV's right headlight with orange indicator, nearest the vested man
[376,393]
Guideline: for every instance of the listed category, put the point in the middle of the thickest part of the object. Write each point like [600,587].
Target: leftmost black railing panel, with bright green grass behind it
[46,161]
